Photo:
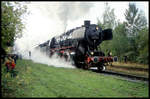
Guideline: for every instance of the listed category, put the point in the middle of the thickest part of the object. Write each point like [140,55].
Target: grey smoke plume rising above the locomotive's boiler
[69,12]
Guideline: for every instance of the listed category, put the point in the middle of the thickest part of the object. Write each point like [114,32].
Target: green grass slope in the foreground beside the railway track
[39,80]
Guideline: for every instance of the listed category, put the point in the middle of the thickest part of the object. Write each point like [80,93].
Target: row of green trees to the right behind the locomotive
[130,38]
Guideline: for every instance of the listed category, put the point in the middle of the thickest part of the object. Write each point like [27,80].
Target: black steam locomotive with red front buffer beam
[80,45]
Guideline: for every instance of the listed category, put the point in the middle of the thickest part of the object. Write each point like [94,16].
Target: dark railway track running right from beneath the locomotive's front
[131,77]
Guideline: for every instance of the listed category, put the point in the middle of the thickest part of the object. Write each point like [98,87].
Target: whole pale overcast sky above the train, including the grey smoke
[48,19]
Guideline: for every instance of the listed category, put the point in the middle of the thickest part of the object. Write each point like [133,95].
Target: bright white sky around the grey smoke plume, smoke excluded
[44,23]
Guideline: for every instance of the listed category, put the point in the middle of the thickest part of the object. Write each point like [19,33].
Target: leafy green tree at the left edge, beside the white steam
[11,22]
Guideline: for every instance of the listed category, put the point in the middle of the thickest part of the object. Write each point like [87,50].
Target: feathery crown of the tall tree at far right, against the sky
[135,20]
